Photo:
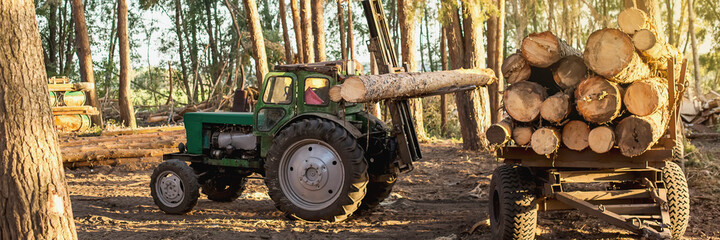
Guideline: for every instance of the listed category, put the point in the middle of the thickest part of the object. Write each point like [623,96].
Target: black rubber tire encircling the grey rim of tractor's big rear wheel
[350,153]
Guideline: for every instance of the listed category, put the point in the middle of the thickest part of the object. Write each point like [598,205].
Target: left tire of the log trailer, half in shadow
[513,207]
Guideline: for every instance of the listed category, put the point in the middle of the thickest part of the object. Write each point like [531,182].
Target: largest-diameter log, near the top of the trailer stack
[610,53]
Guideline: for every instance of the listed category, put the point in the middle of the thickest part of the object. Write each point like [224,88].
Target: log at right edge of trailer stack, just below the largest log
[645,97]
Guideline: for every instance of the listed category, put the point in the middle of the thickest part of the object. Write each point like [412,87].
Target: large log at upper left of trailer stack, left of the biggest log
[544,49]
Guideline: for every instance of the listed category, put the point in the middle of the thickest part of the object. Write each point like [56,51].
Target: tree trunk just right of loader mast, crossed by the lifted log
[406,16]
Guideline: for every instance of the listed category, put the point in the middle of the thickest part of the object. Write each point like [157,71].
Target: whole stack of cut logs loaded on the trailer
[615,94]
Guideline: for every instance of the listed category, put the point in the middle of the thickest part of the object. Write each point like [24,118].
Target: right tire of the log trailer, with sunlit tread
[678,197]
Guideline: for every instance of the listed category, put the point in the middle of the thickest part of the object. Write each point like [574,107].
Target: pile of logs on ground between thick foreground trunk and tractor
[120,147]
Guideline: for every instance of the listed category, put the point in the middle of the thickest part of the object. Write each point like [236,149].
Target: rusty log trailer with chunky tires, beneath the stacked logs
[647,194]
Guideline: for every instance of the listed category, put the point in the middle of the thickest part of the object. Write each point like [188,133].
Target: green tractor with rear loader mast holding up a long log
[320,159]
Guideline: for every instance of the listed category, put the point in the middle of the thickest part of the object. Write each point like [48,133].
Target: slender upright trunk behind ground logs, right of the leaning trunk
[127,112]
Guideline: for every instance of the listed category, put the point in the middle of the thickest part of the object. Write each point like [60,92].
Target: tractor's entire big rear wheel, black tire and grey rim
[316,170]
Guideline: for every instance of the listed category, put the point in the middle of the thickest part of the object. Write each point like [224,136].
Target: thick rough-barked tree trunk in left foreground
[33,191]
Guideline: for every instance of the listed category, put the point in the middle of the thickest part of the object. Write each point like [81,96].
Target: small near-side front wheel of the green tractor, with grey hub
[174,187]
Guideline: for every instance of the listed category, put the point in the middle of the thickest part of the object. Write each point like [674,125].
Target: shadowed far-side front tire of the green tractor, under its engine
[232,186]
